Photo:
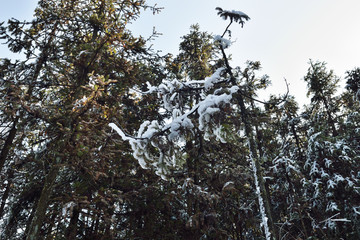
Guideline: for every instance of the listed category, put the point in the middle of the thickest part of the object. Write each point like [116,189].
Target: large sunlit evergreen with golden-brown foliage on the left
[80,62]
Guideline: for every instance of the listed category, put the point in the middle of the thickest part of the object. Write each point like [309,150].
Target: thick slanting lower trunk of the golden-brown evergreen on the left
[40,212]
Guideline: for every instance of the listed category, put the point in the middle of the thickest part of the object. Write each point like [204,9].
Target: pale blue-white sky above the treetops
[282,34]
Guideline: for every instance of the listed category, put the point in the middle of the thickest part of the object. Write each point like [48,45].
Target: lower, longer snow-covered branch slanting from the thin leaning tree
[154,133]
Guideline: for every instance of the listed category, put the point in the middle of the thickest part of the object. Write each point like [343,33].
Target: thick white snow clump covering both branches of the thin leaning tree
[160,145]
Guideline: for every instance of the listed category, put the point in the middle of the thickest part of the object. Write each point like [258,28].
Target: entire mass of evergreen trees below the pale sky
[198,156]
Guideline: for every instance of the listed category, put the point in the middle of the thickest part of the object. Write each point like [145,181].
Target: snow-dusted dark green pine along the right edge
[329,180]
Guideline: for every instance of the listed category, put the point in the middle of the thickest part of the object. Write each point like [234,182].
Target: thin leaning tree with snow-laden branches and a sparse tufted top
[159,145]
